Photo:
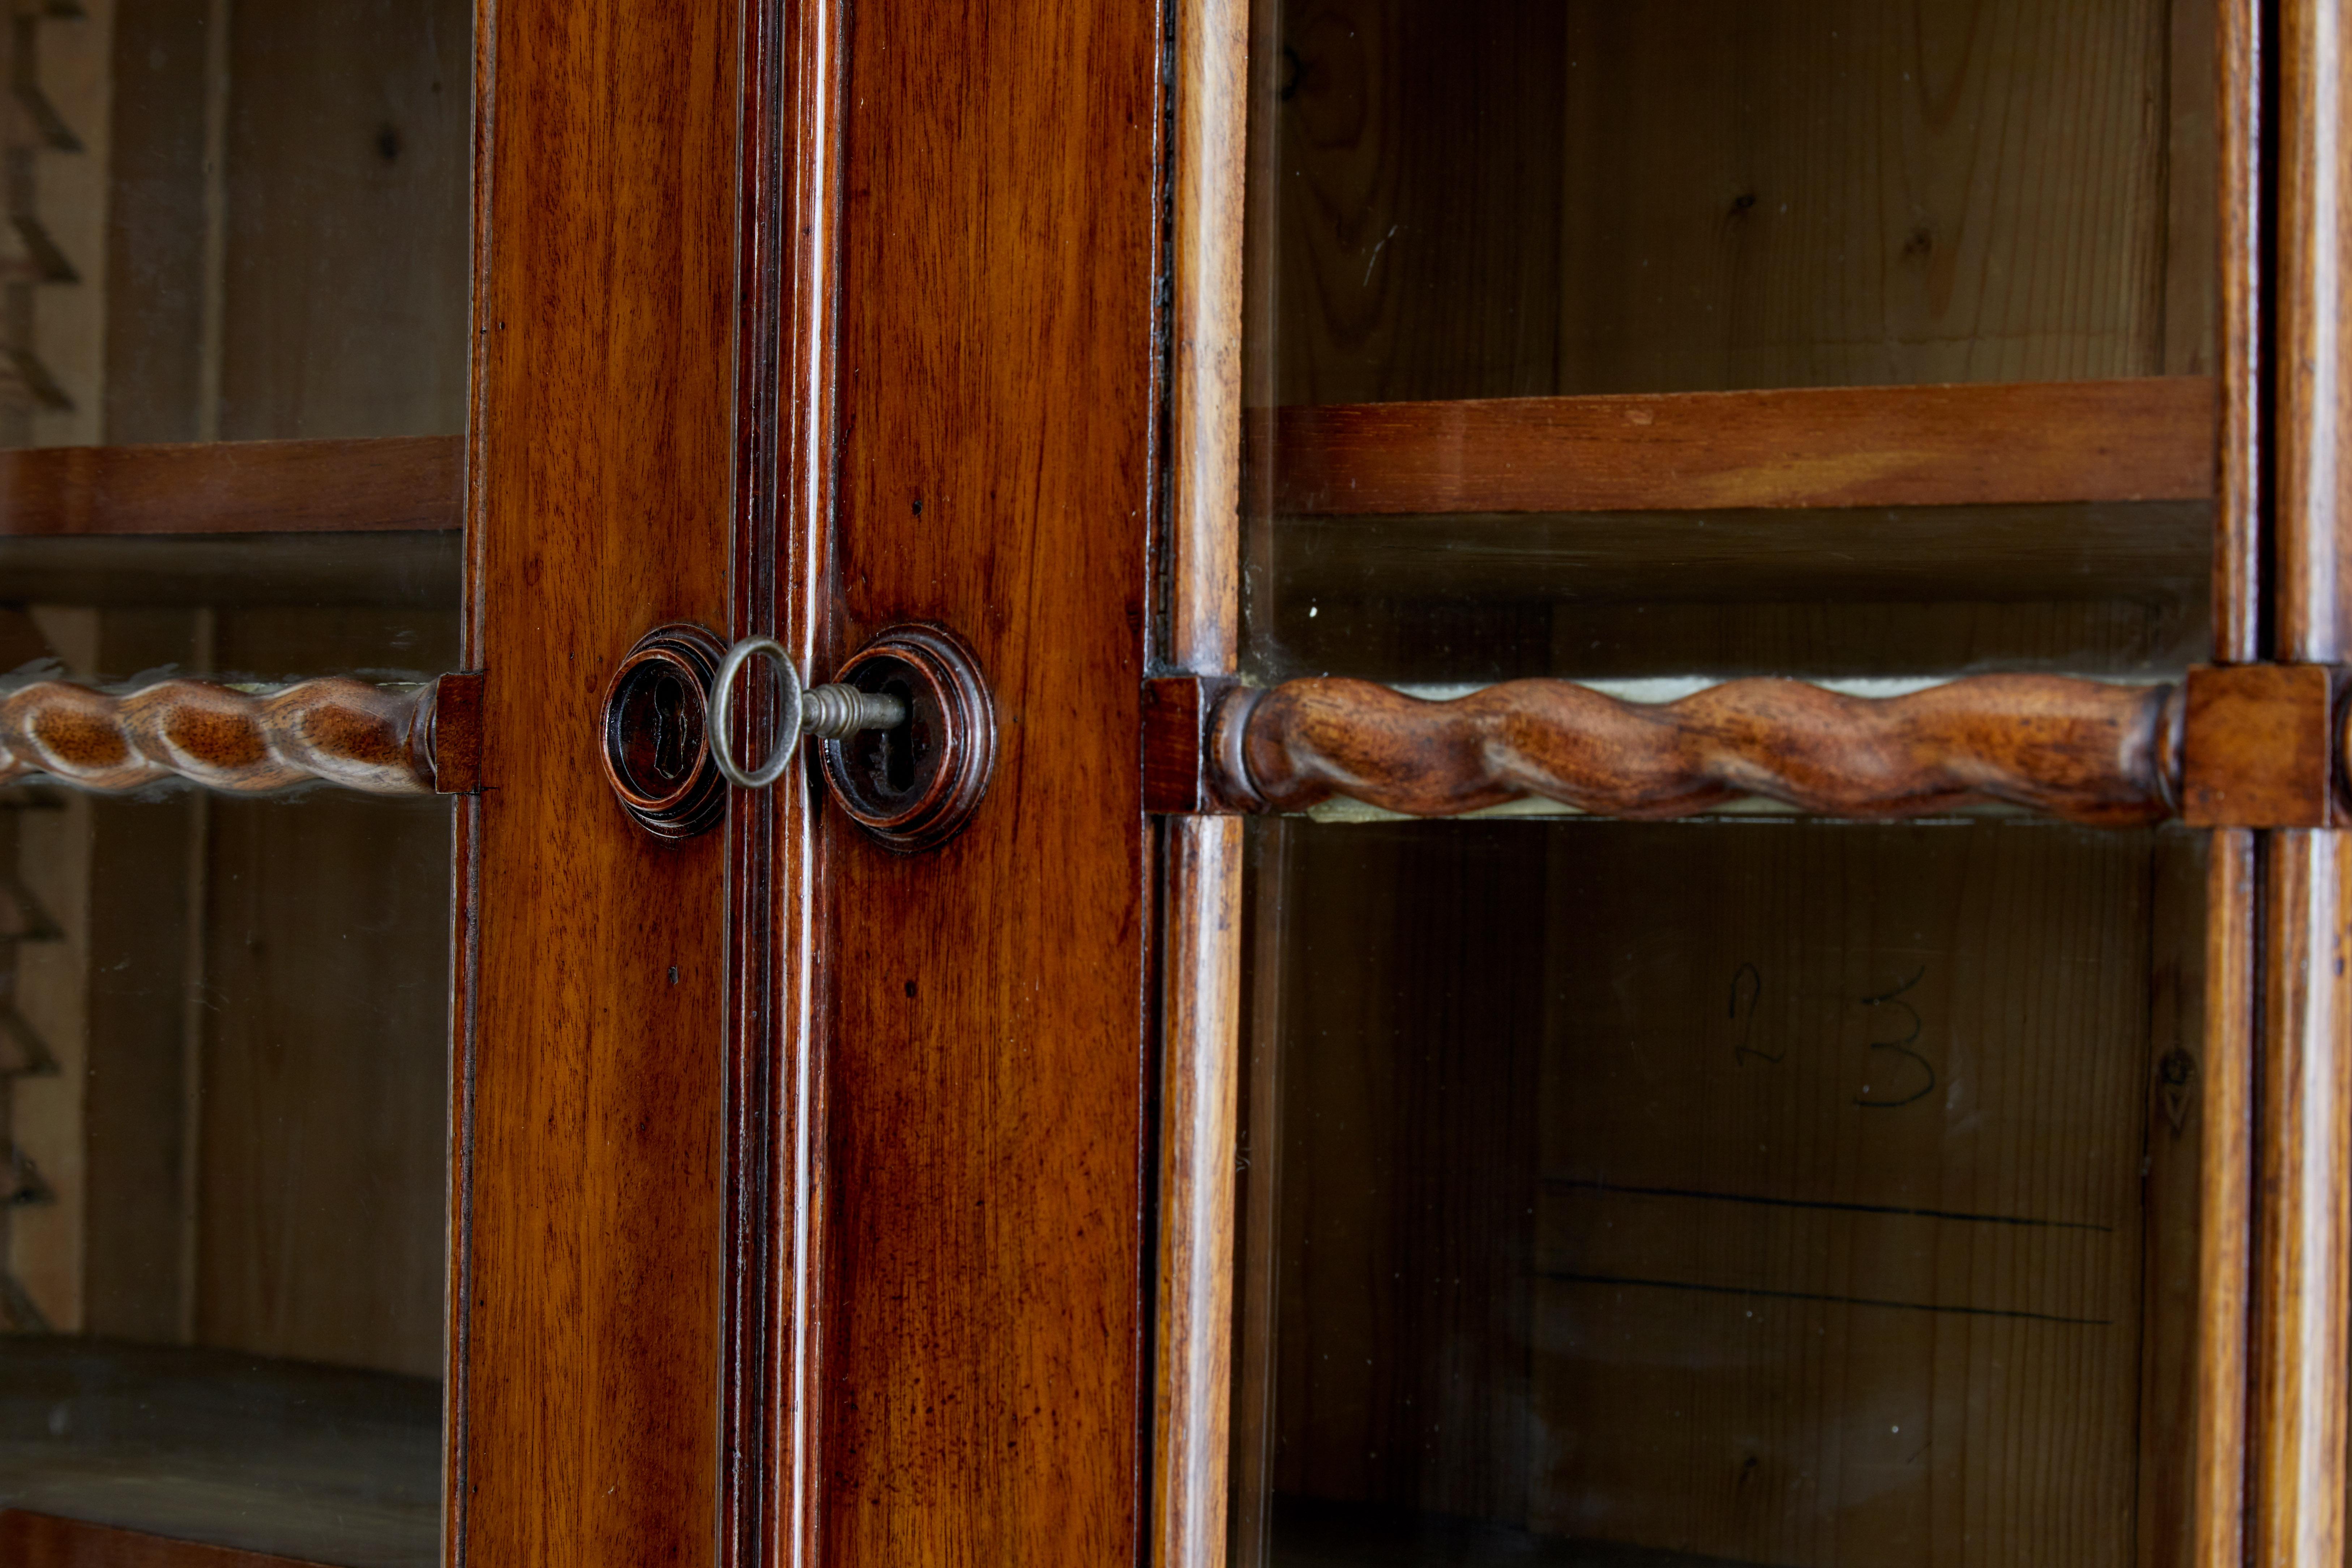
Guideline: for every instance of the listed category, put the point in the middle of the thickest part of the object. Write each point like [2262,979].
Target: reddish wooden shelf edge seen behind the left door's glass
[236,488]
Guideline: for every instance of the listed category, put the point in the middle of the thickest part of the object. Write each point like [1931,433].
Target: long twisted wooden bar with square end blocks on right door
[2233,746]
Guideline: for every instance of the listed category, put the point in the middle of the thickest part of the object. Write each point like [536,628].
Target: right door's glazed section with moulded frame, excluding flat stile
[1737,643]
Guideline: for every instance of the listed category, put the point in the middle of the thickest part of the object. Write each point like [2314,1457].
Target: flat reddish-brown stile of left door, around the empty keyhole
[601,500]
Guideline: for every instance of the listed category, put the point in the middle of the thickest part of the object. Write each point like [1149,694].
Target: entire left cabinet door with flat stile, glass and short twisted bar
[363,398]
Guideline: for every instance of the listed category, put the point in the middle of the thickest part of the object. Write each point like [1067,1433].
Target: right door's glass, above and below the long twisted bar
[1746,1188]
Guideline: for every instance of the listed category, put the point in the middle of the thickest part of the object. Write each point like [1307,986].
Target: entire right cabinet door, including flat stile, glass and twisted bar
[1692,953]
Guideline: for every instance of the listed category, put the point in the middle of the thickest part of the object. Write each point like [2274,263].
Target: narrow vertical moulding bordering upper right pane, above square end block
[2238,542]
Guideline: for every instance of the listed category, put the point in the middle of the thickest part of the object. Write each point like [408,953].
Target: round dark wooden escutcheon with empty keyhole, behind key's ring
[657,744]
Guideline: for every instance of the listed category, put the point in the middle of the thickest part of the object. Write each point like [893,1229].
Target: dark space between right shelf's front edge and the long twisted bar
[2090,589]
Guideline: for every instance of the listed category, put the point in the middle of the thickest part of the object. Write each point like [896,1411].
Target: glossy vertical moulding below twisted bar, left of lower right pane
[1201,1031]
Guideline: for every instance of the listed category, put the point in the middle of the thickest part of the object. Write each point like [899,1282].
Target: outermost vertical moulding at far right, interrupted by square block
[2304,1120]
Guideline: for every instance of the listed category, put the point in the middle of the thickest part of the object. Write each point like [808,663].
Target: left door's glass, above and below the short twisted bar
[232,441]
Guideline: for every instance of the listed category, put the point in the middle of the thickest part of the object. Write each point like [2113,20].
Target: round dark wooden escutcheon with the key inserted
[918,784]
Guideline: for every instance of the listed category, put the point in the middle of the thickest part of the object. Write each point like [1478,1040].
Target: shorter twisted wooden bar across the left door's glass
[333,730]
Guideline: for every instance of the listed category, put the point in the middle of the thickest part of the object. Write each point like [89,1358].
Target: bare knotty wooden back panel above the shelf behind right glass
[1509,199]
